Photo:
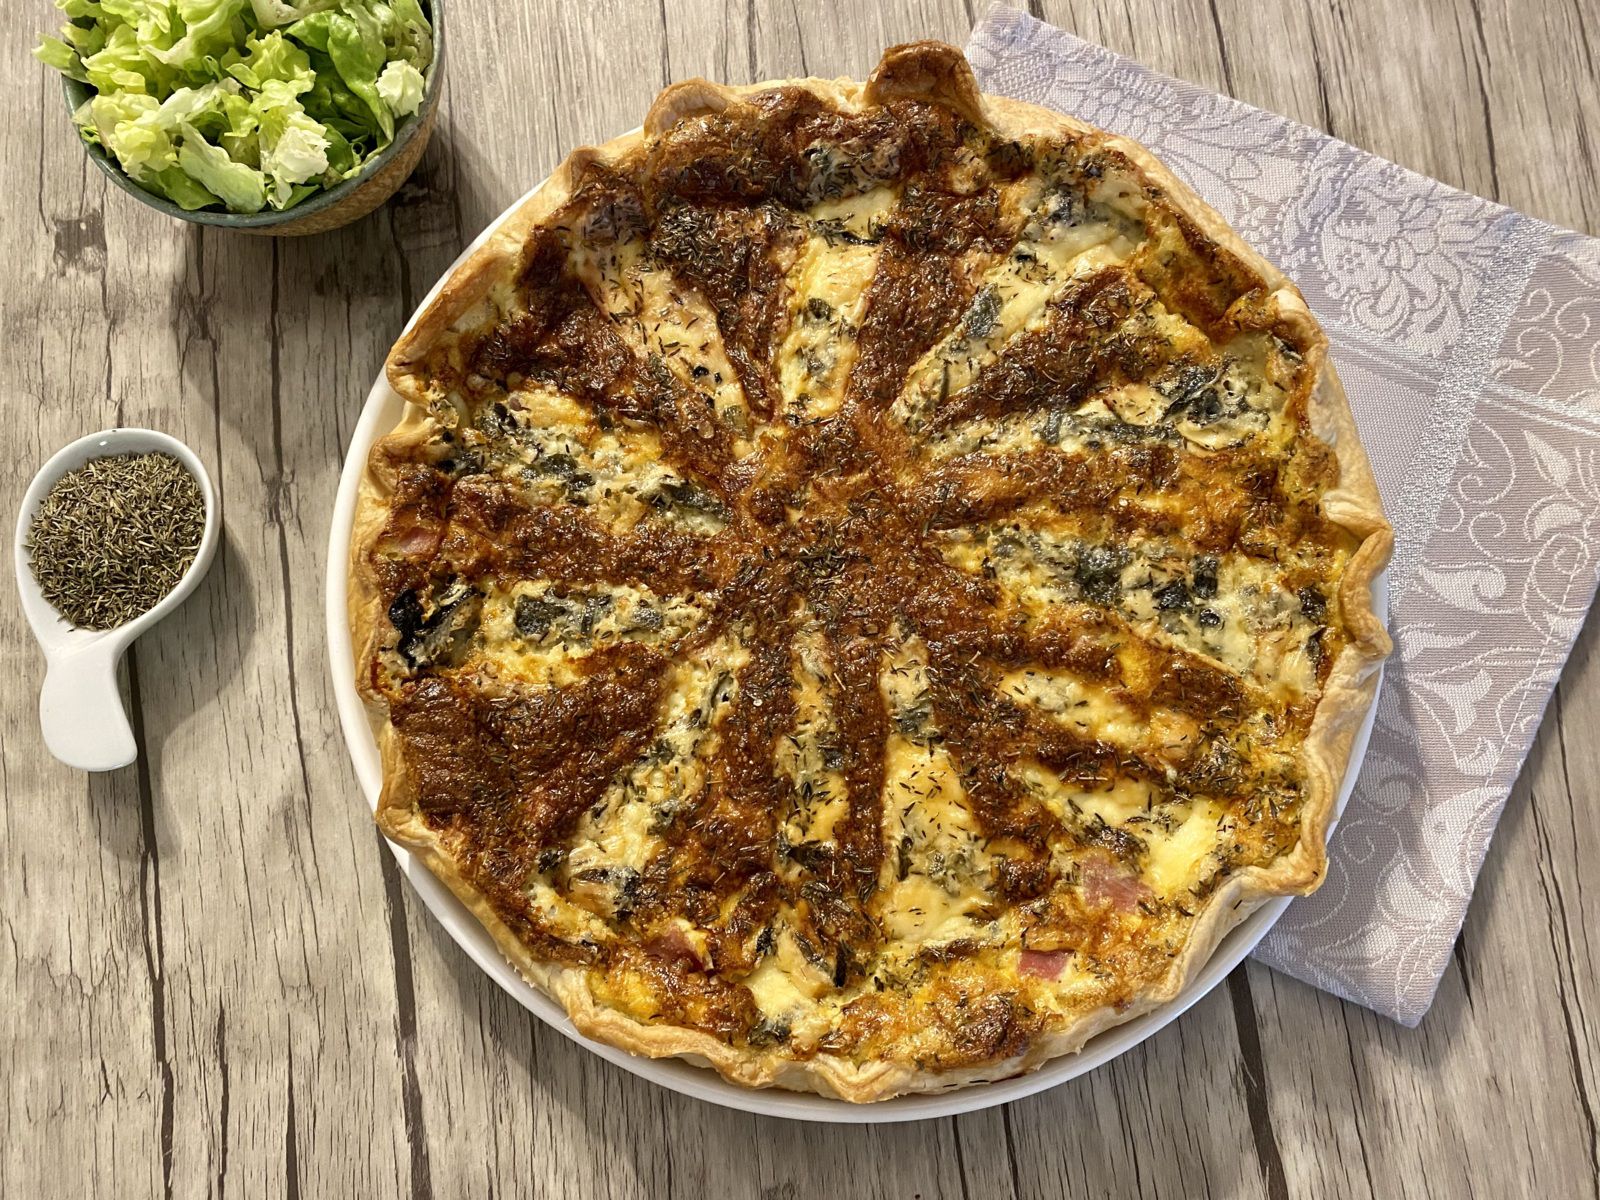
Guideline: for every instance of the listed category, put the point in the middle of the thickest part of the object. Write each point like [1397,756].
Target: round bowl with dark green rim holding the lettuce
[340,206]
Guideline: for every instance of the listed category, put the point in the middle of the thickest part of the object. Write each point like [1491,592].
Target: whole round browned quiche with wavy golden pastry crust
[871,585]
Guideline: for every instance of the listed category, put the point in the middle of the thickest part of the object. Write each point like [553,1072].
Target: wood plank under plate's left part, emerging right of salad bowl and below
[471,1044]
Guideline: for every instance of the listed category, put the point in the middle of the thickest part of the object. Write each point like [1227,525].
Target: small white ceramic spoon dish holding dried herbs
[79,708]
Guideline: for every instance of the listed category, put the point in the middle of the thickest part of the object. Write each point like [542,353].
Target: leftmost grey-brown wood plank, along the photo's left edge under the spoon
[87,1055]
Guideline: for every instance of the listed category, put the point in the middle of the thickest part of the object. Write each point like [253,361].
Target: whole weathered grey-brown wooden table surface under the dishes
[218,983]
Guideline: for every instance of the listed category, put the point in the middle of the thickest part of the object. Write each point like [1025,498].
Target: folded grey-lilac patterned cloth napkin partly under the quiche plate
[1468,338]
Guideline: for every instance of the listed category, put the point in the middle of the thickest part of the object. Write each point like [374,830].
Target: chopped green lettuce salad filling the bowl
[247,105]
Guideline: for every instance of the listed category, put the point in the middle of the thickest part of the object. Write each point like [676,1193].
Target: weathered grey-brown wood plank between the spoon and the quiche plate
[257,839]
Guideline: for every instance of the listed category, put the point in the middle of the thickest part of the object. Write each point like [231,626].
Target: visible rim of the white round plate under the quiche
[383,414]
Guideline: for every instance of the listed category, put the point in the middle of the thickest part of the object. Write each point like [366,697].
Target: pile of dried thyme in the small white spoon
[114,537]
